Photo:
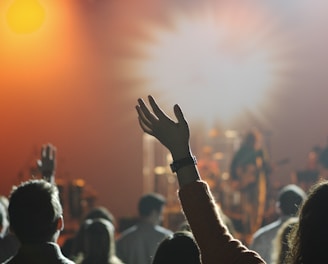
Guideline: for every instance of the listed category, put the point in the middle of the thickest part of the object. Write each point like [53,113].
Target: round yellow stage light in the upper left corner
[25,16]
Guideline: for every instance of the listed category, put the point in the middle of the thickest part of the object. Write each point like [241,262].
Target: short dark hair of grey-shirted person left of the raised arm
[150,202]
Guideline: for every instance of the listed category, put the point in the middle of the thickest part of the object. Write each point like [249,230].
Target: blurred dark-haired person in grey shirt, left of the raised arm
[138,244]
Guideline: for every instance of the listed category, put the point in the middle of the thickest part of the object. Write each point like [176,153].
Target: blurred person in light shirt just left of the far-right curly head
[289,200]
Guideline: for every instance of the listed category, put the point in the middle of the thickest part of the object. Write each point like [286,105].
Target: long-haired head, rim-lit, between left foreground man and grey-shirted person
[98,241]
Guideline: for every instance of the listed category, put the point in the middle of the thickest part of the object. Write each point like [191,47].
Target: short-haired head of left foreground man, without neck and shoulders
[35,213]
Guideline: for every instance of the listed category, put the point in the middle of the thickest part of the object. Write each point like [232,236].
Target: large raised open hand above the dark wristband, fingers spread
[173,135]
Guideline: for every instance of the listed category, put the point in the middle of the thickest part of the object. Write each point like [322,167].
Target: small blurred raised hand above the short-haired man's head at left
[47,163]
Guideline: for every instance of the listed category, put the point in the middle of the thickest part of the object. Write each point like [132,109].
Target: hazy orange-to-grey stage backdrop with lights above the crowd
[71,72]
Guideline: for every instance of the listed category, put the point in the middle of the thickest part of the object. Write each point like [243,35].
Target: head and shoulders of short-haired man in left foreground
[35,215]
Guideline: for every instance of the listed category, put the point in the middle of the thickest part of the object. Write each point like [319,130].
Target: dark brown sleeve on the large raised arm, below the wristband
[214,240]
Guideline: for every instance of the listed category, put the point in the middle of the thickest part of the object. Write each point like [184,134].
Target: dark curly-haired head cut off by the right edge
[309,238]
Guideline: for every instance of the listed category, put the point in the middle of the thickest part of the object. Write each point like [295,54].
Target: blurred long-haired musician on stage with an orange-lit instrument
[249,173]
